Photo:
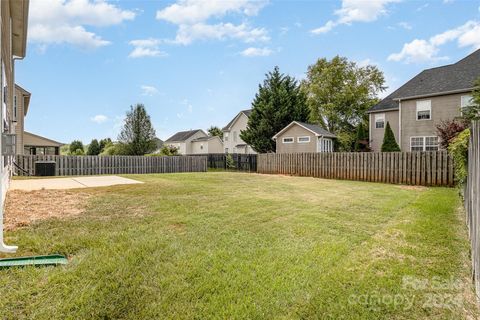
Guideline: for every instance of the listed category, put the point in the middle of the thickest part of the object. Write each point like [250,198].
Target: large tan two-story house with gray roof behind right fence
[416,108]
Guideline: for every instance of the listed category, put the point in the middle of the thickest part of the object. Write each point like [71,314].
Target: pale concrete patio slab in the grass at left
[69,183]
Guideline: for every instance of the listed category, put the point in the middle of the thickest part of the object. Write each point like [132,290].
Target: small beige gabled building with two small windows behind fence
[300,137]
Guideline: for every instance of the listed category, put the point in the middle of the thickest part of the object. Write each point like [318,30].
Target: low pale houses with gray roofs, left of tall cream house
[195,142]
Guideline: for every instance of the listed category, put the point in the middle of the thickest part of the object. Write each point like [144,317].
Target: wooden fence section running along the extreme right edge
[472,200]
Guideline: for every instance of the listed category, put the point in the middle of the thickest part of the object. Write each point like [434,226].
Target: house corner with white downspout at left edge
[13,44]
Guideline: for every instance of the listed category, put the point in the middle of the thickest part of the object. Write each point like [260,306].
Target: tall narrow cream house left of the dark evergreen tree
[232,142]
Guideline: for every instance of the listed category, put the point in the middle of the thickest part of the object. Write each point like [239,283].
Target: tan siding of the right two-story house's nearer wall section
[443,108]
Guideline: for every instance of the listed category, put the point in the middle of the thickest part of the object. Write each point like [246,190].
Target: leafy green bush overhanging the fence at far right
[458,149]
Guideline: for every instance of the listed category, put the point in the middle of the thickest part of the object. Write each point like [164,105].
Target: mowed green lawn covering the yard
[244,246]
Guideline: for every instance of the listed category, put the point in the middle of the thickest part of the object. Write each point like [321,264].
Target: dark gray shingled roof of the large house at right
[453,77]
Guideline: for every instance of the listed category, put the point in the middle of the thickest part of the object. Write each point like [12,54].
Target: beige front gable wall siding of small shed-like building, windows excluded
[296,131]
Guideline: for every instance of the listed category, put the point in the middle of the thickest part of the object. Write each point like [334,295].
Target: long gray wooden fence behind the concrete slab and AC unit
[91,165]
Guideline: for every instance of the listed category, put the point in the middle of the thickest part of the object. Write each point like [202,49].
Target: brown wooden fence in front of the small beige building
[434,168]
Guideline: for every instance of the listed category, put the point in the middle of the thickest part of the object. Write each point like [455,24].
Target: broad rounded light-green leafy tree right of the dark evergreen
[340,92]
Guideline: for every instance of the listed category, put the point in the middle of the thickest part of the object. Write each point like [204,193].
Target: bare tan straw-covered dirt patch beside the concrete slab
[25,207]
